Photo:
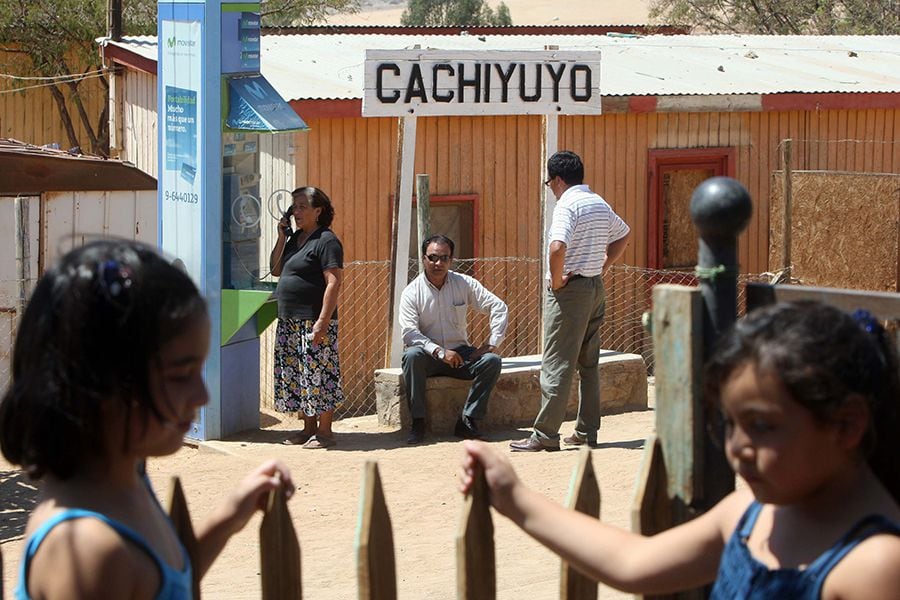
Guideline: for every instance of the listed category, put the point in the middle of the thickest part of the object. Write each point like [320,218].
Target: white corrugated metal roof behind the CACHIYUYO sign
[307,67]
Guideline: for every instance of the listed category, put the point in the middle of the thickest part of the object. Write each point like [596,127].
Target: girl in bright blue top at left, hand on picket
[107,371]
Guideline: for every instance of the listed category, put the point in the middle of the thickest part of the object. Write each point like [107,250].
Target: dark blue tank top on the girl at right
[742,577]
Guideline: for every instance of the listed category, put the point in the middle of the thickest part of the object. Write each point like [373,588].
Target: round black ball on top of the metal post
[720,206]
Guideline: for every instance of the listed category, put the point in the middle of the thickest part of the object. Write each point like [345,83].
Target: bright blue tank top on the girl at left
[175,585]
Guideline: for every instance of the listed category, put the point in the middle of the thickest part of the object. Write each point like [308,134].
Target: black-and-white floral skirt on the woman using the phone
[307,375]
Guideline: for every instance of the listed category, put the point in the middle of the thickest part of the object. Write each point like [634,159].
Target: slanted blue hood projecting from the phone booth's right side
[254,105]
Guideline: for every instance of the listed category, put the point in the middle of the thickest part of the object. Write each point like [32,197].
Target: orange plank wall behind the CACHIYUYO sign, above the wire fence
[498,158]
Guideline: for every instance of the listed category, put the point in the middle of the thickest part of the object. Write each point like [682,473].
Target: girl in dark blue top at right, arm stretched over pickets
[810,401]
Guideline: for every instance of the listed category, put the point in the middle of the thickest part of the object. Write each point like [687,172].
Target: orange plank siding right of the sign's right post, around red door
[615,151]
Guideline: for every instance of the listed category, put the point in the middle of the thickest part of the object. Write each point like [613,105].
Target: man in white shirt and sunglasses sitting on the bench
[433,323]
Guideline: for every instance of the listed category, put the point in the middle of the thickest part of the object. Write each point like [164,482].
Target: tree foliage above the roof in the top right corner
[799,17]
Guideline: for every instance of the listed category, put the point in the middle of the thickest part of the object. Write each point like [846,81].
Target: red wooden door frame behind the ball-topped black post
[720,159]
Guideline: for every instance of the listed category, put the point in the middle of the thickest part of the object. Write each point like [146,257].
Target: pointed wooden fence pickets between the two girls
[376,571]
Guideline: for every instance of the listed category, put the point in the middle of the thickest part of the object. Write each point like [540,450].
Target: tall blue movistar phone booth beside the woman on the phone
[214,104]
